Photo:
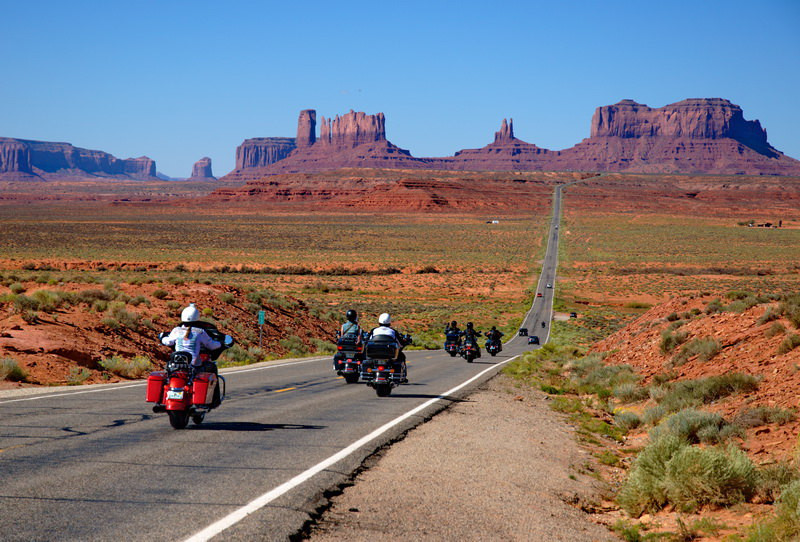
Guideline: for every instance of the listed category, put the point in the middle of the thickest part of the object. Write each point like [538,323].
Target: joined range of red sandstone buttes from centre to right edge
[704,135]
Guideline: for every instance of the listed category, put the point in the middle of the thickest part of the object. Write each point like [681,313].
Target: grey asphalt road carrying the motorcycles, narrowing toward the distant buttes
[97,464]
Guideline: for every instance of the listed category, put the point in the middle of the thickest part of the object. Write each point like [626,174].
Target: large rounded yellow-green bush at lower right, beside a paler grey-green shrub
[699,476]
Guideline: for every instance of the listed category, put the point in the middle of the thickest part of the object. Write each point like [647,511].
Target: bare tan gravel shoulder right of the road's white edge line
[498,465]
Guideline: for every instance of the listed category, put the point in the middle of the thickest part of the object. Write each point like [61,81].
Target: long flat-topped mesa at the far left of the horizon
[50,160]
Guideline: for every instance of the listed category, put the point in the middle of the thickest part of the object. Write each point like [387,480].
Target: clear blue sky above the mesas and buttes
[178,80]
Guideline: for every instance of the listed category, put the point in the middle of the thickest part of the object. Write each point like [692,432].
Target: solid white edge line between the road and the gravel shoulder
[259,502]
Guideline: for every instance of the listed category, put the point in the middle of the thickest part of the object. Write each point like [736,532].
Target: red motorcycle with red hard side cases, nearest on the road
[182,391]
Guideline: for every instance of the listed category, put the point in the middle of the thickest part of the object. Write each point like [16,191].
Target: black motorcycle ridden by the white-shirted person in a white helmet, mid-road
[380,368]
